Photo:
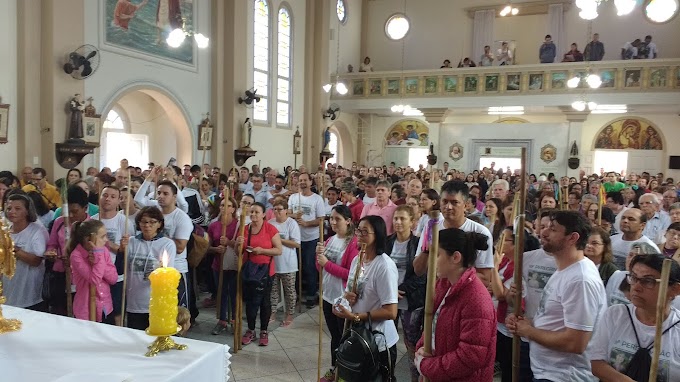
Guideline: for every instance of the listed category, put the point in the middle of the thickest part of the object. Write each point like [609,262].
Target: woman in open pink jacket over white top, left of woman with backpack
[335,257]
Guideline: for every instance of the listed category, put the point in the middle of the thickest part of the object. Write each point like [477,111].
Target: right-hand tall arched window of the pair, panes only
[284,68]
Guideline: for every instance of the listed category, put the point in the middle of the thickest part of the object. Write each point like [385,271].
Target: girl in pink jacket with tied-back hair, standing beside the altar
[91,265]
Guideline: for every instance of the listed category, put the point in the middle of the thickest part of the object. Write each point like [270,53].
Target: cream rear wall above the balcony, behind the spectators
[441,29]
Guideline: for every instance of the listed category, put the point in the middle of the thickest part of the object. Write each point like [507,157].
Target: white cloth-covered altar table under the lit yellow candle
[51,348]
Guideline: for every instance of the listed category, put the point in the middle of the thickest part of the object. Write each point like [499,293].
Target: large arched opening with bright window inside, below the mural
[145,124]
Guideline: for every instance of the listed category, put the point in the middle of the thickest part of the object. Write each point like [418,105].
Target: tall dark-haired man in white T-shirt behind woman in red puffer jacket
[454,194]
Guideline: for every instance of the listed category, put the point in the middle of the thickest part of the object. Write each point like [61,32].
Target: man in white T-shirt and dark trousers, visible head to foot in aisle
[307,208]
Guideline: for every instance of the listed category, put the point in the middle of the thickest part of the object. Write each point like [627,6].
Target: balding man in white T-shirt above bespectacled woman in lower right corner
[632,224]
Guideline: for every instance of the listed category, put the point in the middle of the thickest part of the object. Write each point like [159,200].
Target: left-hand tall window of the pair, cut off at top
[261,60]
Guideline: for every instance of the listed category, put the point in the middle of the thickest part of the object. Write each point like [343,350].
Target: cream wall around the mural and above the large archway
[189,87]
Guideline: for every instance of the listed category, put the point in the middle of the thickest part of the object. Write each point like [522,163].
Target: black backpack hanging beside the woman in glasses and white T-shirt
[358,356]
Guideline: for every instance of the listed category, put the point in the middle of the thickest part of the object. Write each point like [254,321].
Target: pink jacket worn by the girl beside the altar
[102,274]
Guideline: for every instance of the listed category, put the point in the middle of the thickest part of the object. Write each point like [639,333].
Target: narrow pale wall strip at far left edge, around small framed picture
[8,81]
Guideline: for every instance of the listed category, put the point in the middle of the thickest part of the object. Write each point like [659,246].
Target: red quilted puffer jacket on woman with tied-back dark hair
[465,337]
